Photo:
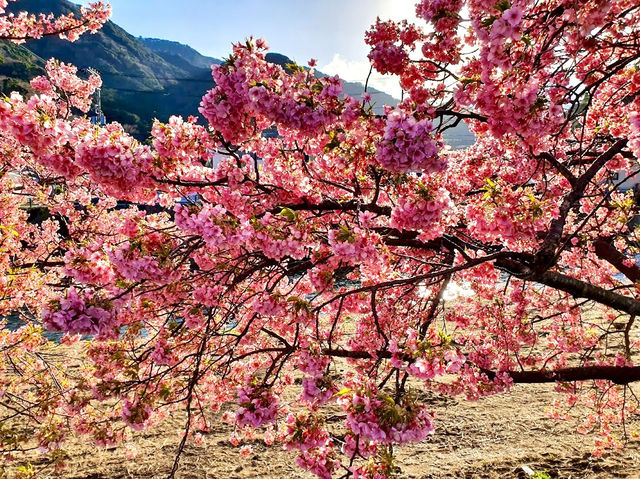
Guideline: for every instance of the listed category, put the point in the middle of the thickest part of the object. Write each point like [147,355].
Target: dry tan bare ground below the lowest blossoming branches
[491,438]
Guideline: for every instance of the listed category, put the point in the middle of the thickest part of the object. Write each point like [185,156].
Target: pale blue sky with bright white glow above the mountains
[332,31]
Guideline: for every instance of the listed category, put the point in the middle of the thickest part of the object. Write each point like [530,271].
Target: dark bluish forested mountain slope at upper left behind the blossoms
[138,83]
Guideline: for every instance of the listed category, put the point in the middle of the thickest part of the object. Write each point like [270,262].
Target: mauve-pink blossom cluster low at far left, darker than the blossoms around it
[81,314]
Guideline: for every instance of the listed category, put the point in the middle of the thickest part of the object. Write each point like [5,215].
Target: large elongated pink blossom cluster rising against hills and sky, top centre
[252,94]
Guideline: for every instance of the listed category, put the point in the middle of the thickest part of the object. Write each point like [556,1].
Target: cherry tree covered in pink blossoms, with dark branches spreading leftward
[183,284]
